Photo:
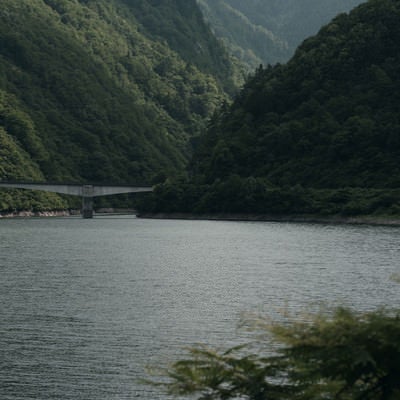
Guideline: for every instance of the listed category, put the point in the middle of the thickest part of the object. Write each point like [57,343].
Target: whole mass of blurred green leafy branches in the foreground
[345,355]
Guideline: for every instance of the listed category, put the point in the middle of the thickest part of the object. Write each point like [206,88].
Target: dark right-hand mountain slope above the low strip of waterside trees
[328,118]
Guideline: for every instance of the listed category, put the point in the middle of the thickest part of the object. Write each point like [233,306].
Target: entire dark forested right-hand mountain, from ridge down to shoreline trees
[319,134]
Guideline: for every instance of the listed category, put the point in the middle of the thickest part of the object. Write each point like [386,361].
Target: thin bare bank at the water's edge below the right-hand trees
[316,219]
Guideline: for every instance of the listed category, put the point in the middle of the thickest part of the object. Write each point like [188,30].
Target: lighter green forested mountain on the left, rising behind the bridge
[104,90]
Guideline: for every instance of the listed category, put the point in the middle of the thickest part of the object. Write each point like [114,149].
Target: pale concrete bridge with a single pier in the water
[86,191]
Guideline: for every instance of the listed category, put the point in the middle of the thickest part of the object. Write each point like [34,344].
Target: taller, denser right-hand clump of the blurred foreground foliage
[346,356]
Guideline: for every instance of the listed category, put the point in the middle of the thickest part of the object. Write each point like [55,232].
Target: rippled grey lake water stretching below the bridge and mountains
[86,305]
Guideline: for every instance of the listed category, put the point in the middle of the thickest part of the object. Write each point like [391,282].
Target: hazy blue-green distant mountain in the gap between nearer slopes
[268,31]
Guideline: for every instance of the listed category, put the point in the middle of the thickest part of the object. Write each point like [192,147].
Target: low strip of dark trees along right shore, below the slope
[257,196]
